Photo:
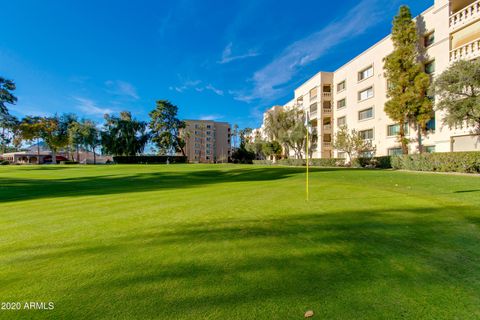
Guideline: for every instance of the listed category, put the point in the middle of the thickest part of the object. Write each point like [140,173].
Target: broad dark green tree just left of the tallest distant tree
[123,135]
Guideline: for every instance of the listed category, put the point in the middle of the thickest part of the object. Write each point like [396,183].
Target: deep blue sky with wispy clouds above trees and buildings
[221,60]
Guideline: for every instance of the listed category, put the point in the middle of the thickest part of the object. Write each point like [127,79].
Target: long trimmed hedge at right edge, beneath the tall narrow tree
[467,162]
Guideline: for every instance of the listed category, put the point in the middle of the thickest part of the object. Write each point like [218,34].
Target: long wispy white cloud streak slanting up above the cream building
[268,81]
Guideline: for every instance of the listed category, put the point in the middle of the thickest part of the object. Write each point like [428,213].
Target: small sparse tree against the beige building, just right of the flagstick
[352,143]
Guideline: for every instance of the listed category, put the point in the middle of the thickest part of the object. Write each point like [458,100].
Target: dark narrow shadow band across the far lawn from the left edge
[19,189]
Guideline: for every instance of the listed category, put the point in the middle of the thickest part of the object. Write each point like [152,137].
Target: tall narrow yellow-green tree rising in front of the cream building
[407,83]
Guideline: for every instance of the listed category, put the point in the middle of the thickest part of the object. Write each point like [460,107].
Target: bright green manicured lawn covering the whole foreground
[238,242]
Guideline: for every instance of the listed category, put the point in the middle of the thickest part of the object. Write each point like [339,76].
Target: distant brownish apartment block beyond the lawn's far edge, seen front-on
[207,141]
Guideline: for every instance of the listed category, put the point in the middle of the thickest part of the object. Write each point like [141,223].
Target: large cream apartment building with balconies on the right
[355,94]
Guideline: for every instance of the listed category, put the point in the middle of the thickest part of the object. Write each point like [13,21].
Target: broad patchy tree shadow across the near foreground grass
[346,264]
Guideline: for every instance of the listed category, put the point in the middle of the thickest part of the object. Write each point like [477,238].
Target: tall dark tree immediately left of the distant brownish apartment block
[166,128]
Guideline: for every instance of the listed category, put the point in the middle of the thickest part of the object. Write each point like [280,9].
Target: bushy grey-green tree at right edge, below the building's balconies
[458,92]
